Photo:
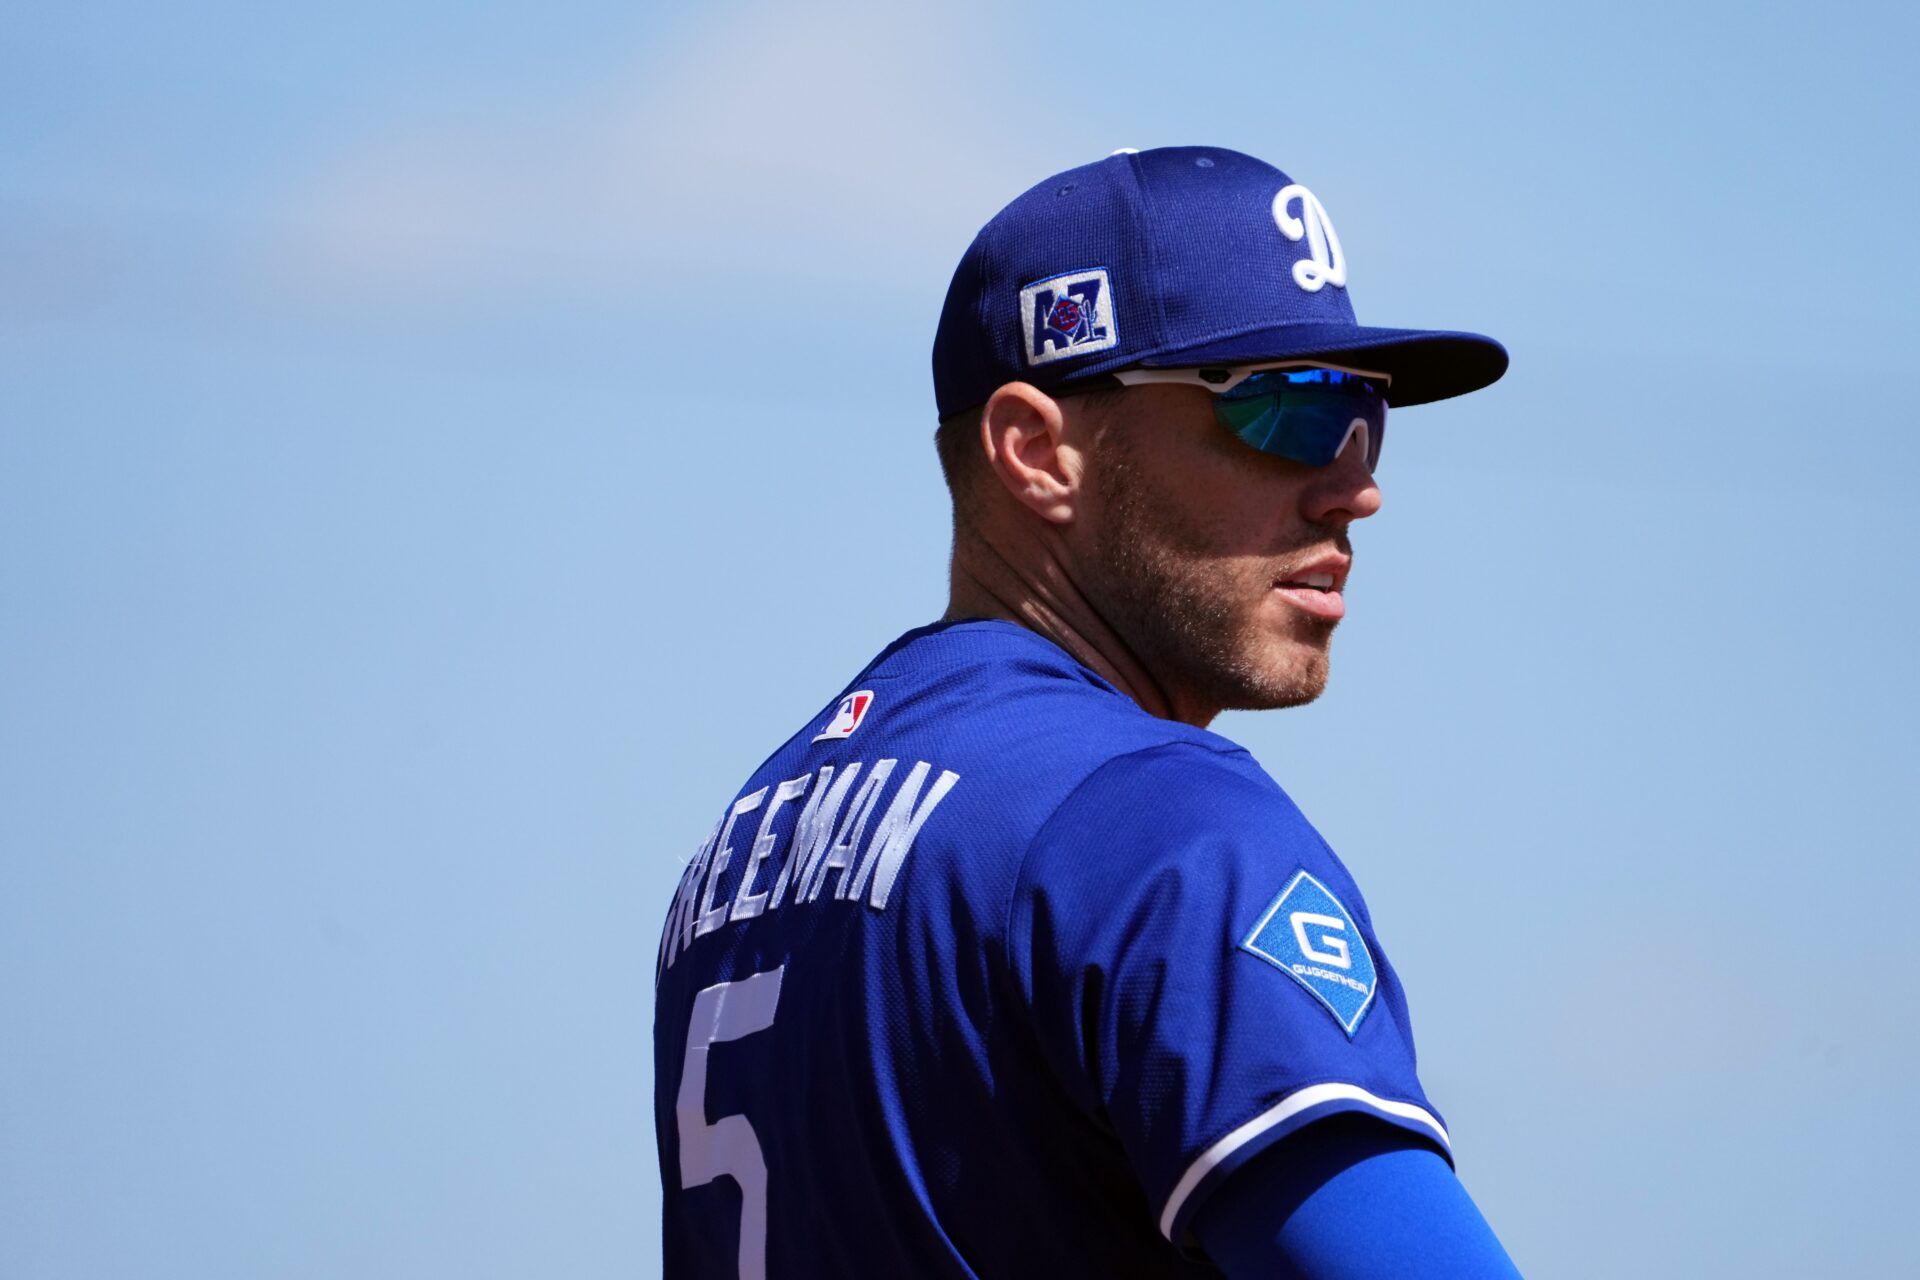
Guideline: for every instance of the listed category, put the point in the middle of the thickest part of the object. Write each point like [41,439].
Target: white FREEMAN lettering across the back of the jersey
[825,845]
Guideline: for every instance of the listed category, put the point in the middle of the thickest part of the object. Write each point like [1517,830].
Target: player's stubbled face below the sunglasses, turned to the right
[1212,559]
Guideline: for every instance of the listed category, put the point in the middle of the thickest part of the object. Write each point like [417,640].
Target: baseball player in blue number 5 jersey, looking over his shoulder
[1005,964]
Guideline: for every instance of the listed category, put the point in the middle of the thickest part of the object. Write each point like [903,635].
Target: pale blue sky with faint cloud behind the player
[427,442]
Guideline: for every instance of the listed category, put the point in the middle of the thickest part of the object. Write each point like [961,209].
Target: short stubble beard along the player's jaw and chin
[1191,613]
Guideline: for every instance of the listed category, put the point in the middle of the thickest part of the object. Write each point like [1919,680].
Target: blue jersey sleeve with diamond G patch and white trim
[1203,974]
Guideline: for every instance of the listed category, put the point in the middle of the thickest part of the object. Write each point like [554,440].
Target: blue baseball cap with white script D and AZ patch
[1178,258]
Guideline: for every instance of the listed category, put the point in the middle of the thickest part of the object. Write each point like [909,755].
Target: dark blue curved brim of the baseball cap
[1424,364]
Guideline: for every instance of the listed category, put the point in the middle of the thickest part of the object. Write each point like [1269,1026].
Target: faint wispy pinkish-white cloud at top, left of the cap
[848,139]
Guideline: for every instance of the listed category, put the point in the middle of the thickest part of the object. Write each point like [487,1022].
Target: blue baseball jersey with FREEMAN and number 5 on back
[988,972]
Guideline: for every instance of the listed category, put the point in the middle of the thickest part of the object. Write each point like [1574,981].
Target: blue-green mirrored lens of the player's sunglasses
[1307,415]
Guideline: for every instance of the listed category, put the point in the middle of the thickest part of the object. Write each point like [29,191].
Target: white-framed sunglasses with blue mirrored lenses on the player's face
[1307,414]
